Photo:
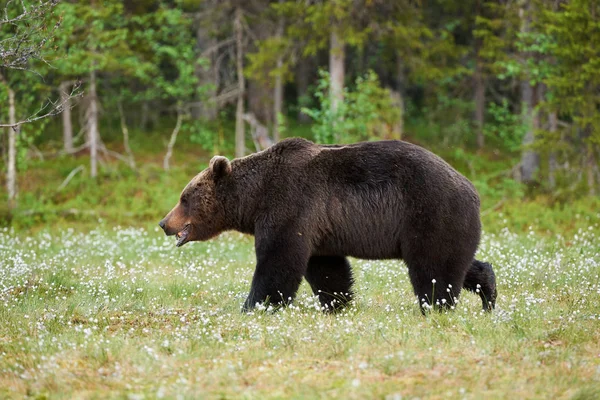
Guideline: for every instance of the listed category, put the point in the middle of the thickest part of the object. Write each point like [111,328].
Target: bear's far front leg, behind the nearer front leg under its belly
[330,278]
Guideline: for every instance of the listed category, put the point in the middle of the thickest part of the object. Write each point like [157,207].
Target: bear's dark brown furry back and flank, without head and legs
[365,199]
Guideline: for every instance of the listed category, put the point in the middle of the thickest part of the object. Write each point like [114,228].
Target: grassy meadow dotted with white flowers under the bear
[121,313]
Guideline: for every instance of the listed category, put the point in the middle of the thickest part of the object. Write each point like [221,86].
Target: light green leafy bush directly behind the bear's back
[367,112]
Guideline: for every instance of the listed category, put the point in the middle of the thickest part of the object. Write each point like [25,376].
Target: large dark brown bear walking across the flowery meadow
[311,206]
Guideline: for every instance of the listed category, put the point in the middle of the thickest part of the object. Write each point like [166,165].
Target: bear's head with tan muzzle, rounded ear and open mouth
[199,215]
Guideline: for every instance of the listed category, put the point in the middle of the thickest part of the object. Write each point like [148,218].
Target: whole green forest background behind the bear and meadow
[508,91]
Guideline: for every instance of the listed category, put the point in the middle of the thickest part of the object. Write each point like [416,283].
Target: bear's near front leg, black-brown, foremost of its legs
[281,263]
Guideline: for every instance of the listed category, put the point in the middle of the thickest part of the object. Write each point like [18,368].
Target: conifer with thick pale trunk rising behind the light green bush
[335,26]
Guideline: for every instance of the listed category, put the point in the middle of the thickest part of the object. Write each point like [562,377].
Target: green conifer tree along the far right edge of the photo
[570,41]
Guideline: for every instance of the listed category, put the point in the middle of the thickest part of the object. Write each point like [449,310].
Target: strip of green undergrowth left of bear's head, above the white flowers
[119,195]
